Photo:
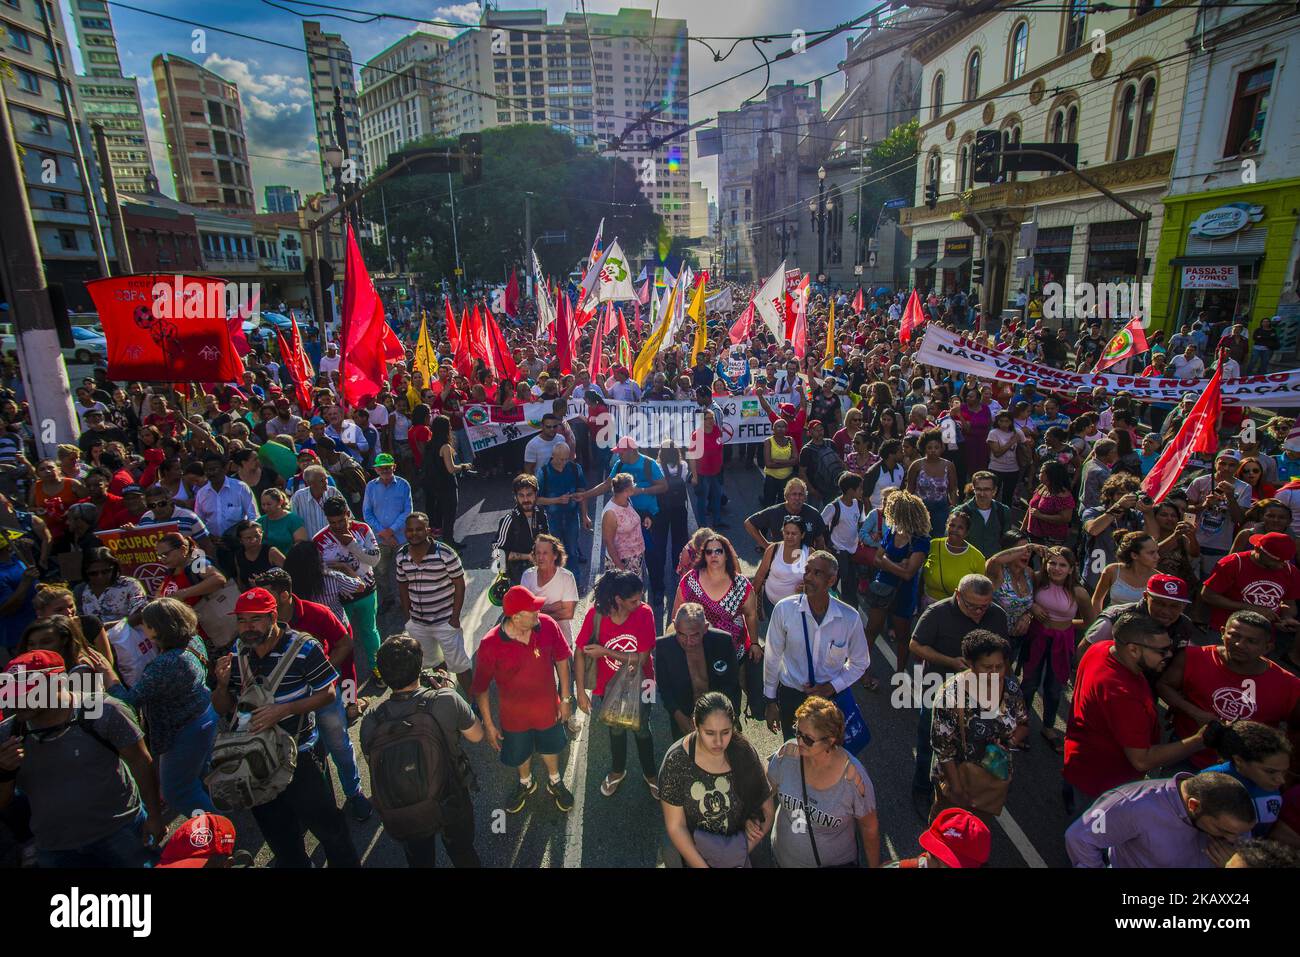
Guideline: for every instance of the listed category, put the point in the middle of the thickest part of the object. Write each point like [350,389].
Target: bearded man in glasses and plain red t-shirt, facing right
[1113,733]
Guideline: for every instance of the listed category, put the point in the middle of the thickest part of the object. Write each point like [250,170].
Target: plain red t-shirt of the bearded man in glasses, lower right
[1113,709]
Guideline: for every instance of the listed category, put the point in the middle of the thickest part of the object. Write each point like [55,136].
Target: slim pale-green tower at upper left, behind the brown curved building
[110,98]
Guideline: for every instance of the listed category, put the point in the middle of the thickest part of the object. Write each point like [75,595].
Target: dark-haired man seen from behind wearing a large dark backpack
[421,780]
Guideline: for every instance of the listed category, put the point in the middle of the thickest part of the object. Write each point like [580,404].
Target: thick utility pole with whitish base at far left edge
[45,378]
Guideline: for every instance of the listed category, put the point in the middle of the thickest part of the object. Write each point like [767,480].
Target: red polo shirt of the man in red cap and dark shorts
[525,675]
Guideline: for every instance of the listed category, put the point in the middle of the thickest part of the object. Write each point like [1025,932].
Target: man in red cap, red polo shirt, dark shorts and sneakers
[525,655]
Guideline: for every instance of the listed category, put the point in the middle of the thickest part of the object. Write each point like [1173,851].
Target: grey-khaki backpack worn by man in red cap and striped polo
[253,769]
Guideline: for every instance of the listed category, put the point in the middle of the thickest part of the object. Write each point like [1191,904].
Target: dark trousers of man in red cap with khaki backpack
[307,804]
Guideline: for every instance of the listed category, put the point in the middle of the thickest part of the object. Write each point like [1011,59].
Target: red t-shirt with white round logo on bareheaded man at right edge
[1208,683]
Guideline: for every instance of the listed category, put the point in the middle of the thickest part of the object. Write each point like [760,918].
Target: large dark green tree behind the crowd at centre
[571,190]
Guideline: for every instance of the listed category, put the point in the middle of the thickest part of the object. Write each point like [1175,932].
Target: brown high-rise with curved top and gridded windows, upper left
[206,138]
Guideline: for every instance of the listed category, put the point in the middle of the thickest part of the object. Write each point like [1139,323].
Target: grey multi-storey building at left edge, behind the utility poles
[49,161]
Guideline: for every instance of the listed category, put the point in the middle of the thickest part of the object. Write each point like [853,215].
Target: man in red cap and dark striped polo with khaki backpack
[265,757]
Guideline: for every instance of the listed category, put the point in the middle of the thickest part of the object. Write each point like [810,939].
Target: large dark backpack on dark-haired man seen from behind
[414,772]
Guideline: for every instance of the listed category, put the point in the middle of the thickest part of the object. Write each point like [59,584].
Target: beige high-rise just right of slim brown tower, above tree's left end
[401,98]
